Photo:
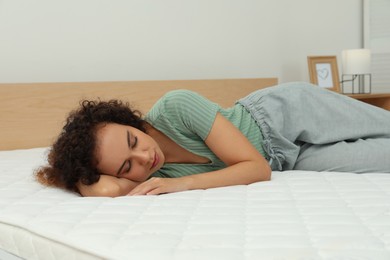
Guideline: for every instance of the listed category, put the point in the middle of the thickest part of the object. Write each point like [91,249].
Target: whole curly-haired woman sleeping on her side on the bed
[187,142]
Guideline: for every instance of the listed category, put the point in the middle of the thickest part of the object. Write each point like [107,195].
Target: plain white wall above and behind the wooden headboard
[104,40]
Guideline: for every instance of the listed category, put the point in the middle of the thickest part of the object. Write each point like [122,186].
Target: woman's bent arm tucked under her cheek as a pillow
[107,186]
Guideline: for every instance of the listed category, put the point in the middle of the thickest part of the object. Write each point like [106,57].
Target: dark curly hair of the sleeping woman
[71,158]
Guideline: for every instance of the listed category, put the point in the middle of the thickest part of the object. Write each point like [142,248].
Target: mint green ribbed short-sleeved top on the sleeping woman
[186,117]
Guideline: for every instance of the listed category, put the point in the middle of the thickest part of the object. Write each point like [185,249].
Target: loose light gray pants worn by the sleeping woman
[306,127]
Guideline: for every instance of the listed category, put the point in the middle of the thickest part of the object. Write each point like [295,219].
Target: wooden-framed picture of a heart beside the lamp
[324,72]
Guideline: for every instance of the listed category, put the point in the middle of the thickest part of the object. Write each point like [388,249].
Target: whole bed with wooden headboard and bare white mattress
[297,215]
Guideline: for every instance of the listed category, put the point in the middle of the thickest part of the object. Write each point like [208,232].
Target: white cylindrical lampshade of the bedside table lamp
[356,61]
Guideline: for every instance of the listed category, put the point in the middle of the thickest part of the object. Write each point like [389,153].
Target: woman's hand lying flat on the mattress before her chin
[155,186]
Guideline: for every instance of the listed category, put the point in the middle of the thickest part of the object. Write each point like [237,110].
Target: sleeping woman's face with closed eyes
[126,152]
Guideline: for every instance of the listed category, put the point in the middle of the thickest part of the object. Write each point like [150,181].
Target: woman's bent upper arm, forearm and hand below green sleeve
[245,164]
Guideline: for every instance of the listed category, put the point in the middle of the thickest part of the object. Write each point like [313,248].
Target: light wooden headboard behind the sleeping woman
[31,115]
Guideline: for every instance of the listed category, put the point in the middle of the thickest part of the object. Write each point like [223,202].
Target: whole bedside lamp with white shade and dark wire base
[357,65]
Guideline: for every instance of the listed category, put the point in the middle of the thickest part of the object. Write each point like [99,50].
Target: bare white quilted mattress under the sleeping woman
[297,215]
